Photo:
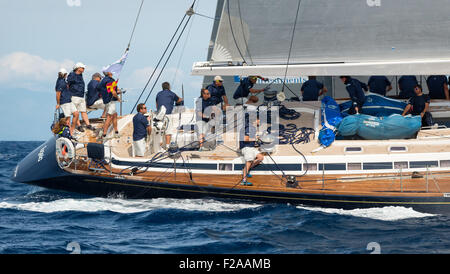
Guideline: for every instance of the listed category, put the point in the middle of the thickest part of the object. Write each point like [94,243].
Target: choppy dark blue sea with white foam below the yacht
[37,220]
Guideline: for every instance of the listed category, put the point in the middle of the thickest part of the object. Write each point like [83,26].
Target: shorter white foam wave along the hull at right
[389,213]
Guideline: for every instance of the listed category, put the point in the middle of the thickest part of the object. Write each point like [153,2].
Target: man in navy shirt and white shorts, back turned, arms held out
[168,98]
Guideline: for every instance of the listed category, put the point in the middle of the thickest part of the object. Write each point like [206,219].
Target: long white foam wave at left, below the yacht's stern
[125,206]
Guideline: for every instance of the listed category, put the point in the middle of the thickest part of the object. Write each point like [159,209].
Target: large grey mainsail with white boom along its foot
[330,36]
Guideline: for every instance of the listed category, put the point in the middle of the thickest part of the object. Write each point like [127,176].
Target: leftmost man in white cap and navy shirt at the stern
[63,98]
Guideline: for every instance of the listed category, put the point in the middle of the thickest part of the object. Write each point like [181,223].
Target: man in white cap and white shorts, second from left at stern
[76,87]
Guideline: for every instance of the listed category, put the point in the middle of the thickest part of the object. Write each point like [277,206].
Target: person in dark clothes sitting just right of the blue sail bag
[419,105]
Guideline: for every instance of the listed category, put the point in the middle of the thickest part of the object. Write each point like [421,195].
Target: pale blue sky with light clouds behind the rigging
[40,37]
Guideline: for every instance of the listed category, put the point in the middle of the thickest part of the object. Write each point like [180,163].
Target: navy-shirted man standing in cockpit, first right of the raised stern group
[141,127]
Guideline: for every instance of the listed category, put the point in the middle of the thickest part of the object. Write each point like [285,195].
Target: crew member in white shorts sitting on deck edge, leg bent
[247,143]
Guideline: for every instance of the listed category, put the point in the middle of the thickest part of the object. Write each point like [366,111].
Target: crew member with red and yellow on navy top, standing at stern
[108,91]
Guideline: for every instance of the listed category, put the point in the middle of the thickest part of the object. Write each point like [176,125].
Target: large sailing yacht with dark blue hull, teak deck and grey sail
[282,40]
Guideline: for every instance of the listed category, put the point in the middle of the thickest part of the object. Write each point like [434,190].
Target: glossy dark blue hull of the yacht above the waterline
[46,173]
